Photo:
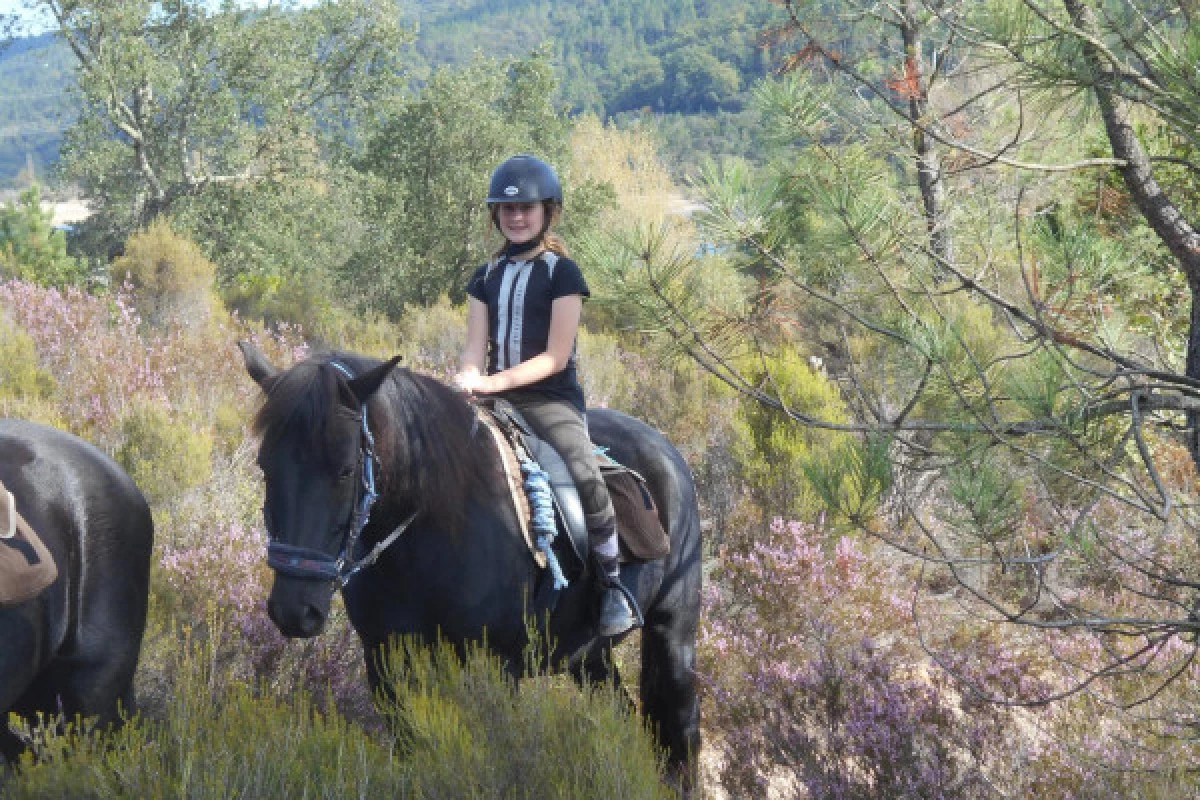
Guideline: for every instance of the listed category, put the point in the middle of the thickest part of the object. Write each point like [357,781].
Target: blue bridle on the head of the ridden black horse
[308,563]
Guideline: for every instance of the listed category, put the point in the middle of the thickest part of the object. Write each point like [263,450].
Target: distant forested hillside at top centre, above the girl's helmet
[616,56]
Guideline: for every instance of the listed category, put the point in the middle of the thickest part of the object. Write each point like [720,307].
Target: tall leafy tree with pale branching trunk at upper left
[183,105]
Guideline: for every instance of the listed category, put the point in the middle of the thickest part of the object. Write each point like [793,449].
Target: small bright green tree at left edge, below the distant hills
[32,249]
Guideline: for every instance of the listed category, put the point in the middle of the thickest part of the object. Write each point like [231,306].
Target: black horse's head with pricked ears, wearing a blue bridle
[317,459]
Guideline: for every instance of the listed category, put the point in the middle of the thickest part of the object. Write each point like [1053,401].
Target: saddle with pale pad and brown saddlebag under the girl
[640,531]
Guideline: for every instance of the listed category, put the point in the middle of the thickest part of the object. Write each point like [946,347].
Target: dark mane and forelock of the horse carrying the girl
[423,431]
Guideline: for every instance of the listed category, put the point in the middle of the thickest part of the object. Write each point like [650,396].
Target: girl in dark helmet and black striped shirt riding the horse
[523,320]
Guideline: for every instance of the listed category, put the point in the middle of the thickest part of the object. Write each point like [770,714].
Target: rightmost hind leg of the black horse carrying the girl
[669,691]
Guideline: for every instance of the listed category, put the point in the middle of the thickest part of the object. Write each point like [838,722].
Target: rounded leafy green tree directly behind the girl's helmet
[428,171]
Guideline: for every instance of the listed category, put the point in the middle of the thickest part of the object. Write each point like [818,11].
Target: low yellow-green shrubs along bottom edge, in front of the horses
[470,733]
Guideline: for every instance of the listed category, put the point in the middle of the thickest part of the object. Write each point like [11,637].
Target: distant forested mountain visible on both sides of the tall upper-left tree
[691,61]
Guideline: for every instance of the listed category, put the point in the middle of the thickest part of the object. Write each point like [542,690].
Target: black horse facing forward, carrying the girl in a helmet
[460,569]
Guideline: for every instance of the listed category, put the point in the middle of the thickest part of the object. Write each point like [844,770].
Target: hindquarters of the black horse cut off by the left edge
[74,648]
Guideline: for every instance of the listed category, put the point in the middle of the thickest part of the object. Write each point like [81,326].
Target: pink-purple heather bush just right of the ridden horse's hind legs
[809,684]
